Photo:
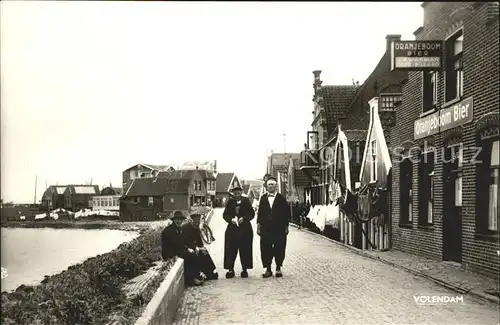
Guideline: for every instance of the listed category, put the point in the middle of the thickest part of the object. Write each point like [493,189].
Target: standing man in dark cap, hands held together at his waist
[239,233]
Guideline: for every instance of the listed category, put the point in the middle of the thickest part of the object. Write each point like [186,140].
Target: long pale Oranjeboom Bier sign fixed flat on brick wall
[445,119]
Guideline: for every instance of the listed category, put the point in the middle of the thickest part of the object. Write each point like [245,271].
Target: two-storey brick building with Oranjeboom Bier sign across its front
[445,203]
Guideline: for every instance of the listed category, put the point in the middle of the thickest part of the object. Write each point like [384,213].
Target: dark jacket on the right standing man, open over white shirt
[275,218]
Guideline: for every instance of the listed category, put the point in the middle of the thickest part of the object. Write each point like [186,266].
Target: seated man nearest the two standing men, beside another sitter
[192,234]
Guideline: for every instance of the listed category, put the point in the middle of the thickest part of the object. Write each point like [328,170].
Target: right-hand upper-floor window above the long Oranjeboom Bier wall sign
[454,67]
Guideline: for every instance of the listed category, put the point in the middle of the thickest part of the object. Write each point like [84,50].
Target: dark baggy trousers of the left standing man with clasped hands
[238,242]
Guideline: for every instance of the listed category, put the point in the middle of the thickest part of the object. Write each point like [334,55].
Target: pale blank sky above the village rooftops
[89,89]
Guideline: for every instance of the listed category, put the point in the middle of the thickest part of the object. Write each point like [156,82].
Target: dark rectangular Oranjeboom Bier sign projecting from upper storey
[417,55]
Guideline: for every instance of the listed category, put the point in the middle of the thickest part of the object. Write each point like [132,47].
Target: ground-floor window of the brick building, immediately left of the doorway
[426,188]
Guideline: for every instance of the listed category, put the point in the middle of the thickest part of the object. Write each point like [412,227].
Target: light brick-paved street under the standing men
[323,283]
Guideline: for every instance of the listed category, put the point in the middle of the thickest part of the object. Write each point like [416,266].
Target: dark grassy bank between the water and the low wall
[87,293]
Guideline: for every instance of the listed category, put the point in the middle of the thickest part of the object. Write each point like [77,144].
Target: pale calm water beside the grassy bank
[30,254]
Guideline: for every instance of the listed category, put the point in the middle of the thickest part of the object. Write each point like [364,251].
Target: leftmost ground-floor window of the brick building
[406,193]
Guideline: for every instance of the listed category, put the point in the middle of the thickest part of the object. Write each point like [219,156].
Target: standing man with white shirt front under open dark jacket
[273,218]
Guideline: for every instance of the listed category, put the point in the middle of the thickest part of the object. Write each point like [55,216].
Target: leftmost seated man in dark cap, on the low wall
[174,243]
